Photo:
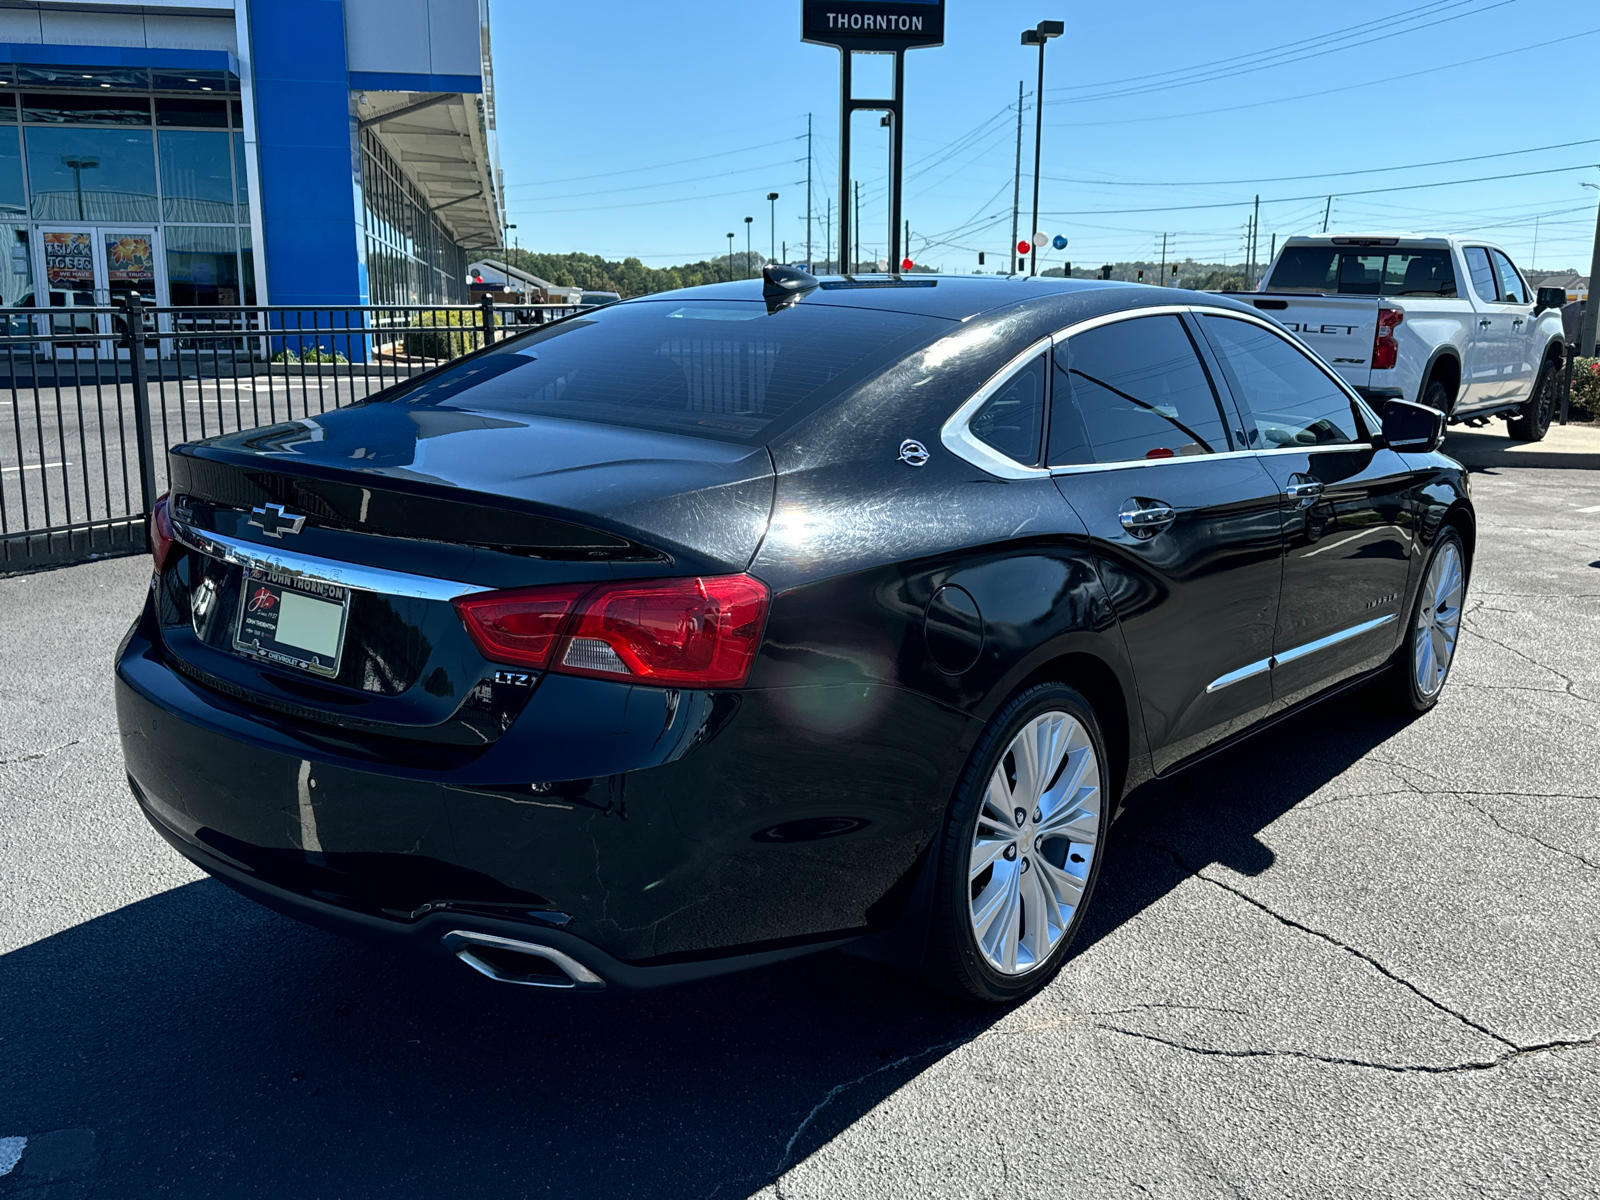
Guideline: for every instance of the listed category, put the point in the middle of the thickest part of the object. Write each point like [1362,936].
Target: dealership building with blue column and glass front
[303,153]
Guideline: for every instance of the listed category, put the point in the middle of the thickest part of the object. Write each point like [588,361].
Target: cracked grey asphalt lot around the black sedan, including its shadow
[1353,958]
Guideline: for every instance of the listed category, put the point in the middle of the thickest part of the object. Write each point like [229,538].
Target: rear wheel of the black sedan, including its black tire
[1022,849]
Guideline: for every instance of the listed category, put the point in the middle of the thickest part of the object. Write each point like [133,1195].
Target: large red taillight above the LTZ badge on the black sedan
[697,633]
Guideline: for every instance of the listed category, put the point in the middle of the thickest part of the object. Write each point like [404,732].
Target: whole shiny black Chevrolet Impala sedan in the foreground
[737,623]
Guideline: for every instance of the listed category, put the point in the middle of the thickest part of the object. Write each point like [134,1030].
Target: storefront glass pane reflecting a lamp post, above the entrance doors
[92,175]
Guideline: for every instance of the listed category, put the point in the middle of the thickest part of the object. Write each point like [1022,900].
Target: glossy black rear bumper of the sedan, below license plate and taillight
[646,849]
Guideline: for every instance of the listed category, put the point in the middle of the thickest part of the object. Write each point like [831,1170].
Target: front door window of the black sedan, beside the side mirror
[1284,398]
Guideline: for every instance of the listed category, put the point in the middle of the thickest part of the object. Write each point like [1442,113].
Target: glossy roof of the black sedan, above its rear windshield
[951,297]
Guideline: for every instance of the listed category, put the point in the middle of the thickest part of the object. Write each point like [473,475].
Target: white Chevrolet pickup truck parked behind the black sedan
[1441,321]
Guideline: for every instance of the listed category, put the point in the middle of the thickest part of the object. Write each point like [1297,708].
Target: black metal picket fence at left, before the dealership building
[94,398]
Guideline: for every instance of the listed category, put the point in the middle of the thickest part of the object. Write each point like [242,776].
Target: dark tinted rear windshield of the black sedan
[714,369]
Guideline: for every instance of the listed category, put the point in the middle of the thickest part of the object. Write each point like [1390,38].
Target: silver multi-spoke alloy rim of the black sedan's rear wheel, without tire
[1034,842]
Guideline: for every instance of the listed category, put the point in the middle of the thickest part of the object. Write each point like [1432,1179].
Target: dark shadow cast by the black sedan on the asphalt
[217,1049]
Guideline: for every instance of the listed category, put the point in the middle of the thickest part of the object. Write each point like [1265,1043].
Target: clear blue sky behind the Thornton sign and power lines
[655,129]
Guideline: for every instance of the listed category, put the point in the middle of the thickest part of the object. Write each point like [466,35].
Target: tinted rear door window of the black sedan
[1134,391]
